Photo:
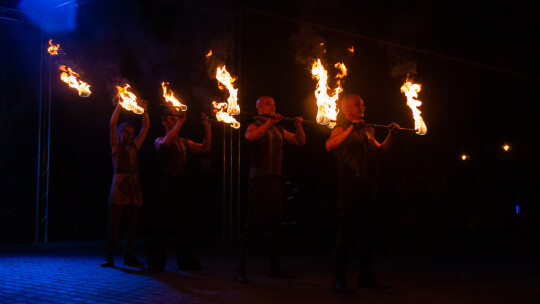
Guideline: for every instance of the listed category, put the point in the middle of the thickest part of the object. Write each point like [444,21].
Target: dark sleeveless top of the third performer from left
[266,152]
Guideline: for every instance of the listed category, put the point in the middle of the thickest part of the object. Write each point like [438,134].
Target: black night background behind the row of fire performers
[477,63]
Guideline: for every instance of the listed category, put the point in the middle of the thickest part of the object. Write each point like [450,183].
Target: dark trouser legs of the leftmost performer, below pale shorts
[130,214]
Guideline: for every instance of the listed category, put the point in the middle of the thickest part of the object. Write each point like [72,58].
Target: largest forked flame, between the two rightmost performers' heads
[327,106]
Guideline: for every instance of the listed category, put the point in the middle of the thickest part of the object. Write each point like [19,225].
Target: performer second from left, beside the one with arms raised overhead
[174,206]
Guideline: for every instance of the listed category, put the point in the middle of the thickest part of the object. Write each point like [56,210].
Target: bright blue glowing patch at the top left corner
[52,16]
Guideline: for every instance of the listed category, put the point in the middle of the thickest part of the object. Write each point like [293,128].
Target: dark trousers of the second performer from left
[173,216]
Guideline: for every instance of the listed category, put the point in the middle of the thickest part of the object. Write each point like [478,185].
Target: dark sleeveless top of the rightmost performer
[357,155]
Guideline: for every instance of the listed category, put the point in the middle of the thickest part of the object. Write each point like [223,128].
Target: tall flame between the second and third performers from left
[232,107]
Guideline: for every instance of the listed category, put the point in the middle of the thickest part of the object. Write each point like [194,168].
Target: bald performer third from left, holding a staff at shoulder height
[266,197]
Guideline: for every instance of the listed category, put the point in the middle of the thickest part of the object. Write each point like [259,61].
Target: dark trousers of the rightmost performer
[355,211]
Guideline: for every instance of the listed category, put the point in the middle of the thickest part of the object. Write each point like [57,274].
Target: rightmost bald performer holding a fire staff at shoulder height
[356,151]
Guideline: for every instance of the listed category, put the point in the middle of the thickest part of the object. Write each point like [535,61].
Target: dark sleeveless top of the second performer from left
[173,158]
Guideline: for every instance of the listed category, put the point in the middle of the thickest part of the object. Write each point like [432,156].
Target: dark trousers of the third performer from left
[265,207]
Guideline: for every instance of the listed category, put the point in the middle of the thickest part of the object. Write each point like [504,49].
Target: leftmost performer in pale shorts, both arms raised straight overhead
[125,198]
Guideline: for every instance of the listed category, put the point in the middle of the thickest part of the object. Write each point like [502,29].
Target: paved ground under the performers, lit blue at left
[70,273]
